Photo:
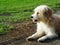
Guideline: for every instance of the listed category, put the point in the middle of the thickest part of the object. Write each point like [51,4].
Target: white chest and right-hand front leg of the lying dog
[49,31]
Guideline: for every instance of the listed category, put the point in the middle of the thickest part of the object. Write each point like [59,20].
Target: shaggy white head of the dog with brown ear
[41,13]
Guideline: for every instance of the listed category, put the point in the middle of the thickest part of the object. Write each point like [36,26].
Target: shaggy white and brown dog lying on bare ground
[47,24]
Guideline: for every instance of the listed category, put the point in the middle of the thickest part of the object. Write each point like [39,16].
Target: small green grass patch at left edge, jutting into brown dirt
[4,29]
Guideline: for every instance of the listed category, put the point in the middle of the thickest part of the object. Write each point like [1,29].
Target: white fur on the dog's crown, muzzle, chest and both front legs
[43,28]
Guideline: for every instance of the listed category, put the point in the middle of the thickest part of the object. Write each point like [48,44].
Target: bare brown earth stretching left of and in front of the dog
[18,35]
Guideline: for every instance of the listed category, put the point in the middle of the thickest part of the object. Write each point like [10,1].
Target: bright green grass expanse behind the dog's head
[20,10]
